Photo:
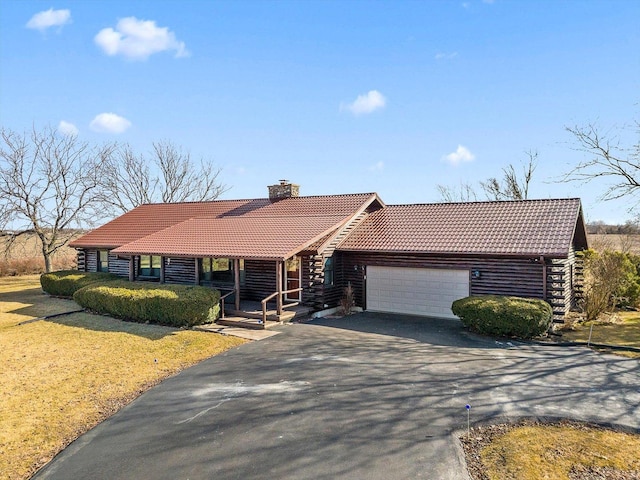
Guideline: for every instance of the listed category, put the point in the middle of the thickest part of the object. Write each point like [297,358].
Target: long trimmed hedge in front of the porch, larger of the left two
[172,305]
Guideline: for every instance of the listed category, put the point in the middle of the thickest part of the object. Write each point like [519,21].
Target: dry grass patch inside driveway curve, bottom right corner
[567,450]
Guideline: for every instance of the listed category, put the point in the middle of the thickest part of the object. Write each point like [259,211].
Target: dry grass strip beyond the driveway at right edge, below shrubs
[623,331]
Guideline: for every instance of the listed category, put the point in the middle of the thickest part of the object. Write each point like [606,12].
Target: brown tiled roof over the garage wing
[528,227]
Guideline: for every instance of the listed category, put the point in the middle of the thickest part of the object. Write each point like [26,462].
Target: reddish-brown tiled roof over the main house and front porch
[184,228]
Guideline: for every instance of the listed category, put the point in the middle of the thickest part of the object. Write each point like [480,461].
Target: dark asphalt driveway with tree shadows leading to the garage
[370,396]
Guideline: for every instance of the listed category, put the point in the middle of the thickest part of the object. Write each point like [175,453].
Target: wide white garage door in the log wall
[416,291]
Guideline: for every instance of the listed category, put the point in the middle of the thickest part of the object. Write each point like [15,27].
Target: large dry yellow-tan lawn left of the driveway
[62,377]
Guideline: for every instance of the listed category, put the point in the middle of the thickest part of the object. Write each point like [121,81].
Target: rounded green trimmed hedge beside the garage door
[504,316]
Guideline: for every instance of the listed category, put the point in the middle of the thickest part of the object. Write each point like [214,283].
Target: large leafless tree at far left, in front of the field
[49,184]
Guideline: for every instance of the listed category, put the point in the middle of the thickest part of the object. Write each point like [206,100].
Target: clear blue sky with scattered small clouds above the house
[339,97]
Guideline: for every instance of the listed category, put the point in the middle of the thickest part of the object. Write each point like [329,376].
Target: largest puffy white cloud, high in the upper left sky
[138,39]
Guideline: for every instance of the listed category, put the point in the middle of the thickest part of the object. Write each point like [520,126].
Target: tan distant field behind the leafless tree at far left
[24,257]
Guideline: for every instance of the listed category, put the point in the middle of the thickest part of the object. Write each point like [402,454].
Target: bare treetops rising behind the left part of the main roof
[170,176]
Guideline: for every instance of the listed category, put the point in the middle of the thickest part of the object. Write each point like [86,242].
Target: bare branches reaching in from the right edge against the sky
[608,160]
